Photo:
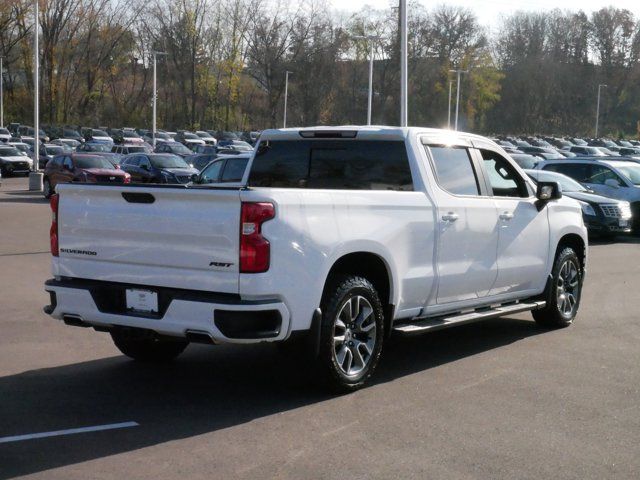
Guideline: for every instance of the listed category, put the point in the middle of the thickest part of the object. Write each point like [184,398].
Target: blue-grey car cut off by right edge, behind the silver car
[617,179]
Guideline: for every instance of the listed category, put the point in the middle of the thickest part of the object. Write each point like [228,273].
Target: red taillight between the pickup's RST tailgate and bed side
[255,250]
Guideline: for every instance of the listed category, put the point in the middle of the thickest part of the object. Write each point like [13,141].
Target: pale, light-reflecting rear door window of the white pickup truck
[454,170]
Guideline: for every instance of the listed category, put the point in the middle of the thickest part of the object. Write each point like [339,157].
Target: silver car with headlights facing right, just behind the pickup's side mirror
[603,216]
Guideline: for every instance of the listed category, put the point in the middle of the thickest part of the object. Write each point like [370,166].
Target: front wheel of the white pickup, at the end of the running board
[566,280]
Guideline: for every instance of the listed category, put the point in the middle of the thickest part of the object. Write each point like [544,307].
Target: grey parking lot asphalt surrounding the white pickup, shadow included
[500,399]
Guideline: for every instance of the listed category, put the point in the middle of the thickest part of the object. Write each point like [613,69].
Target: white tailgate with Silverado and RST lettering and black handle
[181,238]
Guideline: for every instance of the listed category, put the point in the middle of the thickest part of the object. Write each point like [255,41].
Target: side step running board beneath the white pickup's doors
[437,323]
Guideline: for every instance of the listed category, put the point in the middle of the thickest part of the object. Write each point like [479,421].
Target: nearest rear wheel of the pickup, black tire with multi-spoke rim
[347,365]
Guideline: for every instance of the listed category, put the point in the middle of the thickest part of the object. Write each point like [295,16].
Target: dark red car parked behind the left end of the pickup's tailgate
[80,167]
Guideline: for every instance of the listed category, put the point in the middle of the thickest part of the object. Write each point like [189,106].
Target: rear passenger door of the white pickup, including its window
[467,226]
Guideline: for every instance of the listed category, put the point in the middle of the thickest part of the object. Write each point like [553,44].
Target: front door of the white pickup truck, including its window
[523,240]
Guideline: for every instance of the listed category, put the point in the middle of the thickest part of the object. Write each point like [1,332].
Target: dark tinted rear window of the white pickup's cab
[336,165]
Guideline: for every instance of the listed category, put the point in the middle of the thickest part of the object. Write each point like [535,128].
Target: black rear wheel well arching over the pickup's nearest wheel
[371,267]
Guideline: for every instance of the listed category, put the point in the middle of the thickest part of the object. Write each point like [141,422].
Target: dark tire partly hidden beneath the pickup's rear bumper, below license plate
[147,347]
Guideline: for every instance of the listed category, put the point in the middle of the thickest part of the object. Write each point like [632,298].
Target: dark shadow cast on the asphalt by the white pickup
[207,389]
